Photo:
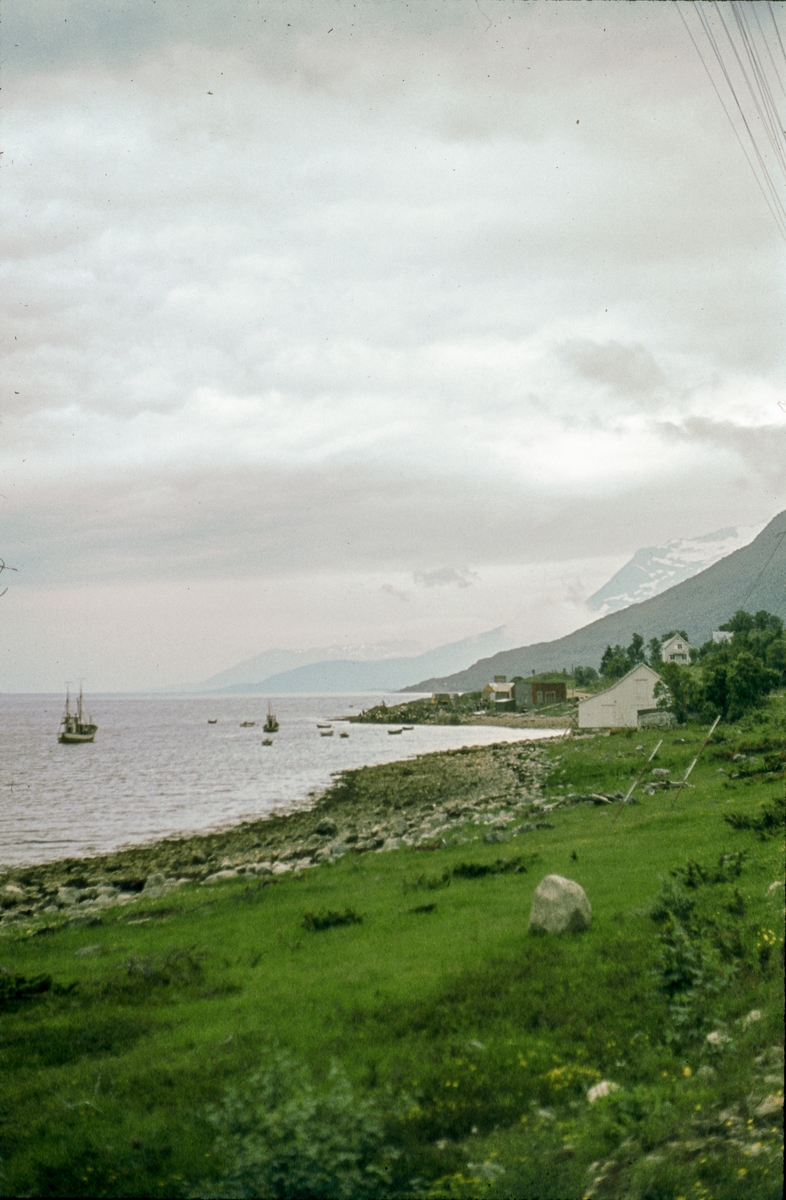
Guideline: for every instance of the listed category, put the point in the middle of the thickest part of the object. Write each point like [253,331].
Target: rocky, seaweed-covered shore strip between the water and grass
[451,797]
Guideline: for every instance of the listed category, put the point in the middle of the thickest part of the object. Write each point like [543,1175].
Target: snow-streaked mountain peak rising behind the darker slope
[656,569]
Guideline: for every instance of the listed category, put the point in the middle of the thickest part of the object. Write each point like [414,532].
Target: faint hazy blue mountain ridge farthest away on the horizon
[377,675]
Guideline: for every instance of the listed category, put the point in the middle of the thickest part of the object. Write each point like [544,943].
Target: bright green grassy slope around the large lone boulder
[487,1029]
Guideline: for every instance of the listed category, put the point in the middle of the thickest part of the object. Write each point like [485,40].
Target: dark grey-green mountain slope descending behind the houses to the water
[753,578]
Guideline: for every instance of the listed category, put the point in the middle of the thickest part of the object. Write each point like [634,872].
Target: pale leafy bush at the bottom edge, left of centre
[281,1137]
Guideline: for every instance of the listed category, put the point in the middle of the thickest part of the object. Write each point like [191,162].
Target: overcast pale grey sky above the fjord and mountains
[357,323]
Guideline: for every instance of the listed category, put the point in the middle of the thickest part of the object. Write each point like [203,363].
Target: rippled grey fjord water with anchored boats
[158,769]
